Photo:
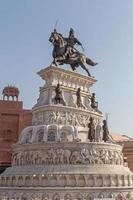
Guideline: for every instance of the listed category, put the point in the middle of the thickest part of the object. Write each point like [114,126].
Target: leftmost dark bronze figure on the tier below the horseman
[58,96]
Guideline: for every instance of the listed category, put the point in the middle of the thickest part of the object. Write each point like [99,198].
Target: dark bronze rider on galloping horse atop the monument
[64,51]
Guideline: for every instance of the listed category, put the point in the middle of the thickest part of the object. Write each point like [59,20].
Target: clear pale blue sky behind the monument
[105,28]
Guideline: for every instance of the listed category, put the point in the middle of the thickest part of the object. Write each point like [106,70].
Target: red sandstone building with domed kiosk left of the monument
[13,118]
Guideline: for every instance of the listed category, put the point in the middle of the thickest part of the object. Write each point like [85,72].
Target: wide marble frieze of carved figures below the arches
[67,156]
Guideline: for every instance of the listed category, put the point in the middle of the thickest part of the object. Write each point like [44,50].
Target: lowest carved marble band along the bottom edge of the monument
[67,196]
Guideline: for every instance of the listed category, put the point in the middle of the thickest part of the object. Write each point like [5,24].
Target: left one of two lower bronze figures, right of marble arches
[91,133]
